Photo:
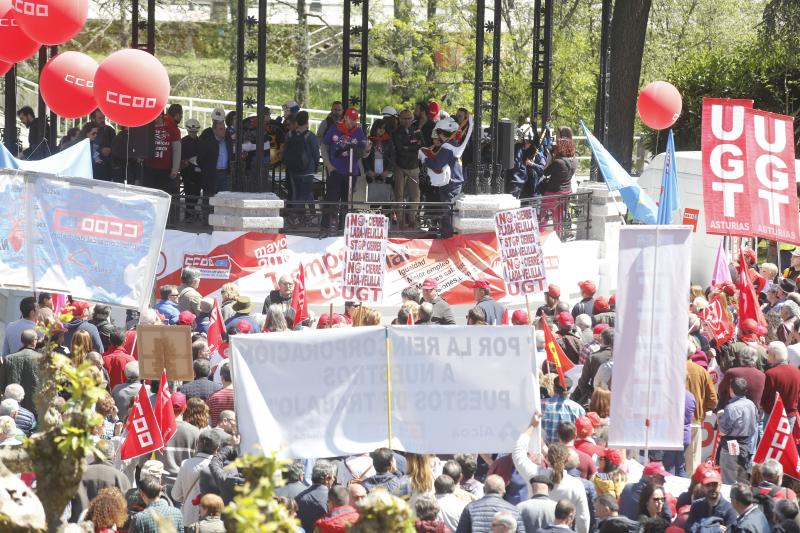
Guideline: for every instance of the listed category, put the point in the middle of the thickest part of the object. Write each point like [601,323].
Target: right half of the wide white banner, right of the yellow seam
[461,388]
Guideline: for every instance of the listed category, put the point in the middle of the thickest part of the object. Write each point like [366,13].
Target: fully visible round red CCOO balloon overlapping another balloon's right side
[131,87]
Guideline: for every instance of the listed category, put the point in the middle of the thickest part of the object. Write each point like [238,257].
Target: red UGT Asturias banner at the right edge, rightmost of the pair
[770,168]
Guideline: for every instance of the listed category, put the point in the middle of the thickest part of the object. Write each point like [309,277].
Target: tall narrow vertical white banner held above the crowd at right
[649,374]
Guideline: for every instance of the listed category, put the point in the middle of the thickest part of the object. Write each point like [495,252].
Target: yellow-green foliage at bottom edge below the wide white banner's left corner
[254,509]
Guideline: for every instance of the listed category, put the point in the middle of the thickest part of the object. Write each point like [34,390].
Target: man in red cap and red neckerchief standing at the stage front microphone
[342,147]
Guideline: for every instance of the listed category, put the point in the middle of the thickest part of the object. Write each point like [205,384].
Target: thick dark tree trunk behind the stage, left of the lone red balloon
[628,31]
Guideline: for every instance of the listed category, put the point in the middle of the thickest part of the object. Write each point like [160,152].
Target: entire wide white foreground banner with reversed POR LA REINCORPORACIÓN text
[323,393]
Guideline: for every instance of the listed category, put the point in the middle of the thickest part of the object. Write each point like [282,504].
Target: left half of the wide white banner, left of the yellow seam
[311,393]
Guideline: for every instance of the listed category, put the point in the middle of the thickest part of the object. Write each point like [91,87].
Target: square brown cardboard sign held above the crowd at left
[165,347]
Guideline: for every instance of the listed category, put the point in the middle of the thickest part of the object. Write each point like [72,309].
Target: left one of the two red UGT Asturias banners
[727,191]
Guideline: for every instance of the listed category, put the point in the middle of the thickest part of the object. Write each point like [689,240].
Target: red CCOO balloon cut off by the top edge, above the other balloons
[51,22]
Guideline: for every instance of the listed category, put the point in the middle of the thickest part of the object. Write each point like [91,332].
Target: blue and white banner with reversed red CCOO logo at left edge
[95,240]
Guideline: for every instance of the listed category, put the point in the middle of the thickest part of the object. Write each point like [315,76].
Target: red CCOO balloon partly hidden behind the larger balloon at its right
[67,84]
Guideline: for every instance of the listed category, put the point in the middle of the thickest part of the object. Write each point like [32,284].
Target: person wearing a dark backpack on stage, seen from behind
[301,156]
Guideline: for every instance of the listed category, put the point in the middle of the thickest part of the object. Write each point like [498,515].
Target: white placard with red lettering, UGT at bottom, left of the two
[365,238]
